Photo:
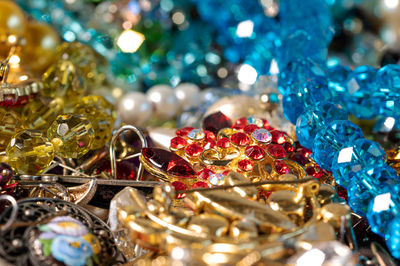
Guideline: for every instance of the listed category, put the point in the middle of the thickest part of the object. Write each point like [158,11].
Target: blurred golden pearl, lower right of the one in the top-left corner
[41,46]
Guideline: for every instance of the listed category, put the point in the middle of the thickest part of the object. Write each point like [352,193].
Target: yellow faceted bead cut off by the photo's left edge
[10,124]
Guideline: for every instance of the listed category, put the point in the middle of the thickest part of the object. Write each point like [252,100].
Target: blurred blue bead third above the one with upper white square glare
[298,72]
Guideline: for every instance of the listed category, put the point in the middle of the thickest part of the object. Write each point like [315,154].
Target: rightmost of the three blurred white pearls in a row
[188,95]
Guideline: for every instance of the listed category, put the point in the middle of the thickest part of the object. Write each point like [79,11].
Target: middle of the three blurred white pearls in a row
[164,101]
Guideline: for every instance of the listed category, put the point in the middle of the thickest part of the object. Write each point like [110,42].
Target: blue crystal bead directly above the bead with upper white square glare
[315,118]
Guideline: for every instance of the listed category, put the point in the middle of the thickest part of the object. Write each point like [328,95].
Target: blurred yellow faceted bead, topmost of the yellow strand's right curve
[86,59]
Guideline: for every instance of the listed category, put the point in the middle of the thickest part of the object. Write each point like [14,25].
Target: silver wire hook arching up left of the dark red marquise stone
[112,149]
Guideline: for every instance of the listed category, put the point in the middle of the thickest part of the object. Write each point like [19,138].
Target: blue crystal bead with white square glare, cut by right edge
[382,209]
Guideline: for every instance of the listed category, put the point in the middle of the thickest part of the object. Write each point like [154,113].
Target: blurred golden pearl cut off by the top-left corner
[12,19]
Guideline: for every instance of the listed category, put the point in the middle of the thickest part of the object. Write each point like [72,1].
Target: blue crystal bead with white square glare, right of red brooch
[353,157]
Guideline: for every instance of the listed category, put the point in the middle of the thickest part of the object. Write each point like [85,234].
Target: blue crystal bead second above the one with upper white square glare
[303,96]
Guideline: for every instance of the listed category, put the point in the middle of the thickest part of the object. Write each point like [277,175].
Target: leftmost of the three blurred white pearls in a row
[134,109]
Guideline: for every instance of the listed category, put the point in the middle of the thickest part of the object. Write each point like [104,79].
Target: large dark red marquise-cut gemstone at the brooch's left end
[168,162]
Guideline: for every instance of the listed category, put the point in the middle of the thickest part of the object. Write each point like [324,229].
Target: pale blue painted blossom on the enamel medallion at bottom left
[72,251]
